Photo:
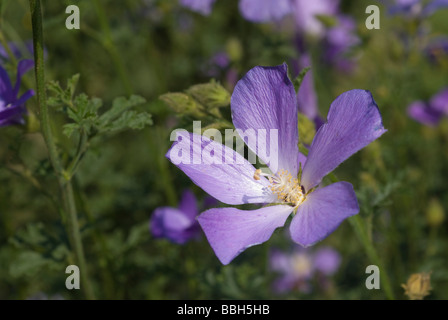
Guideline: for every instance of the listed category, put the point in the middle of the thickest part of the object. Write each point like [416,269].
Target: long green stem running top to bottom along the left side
[65,185]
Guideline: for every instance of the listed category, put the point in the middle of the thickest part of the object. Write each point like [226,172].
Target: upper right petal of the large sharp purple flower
[353,121]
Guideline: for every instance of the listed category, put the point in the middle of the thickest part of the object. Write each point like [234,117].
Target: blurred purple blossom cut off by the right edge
[430,113]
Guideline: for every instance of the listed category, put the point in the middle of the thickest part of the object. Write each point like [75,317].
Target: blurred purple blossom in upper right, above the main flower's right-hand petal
[339,40]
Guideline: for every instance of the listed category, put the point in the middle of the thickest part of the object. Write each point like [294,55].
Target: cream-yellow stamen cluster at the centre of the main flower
[284,186]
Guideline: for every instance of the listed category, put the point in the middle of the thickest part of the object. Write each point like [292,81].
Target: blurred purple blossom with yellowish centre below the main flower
[297,268]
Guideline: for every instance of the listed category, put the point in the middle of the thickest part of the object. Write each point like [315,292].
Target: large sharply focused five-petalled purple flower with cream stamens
[264,100]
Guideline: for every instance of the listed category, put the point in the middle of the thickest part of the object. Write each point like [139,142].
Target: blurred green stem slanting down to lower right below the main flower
[361,231]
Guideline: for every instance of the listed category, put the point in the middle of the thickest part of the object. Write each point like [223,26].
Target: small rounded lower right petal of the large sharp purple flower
[322,212]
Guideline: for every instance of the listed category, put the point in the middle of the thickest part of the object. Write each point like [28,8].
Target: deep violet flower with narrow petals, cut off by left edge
[12,107]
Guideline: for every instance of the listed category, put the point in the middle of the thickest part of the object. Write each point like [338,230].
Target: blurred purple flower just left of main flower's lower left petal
[178,225]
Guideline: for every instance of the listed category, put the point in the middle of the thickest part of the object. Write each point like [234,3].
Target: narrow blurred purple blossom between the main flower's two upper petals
[306,95]
